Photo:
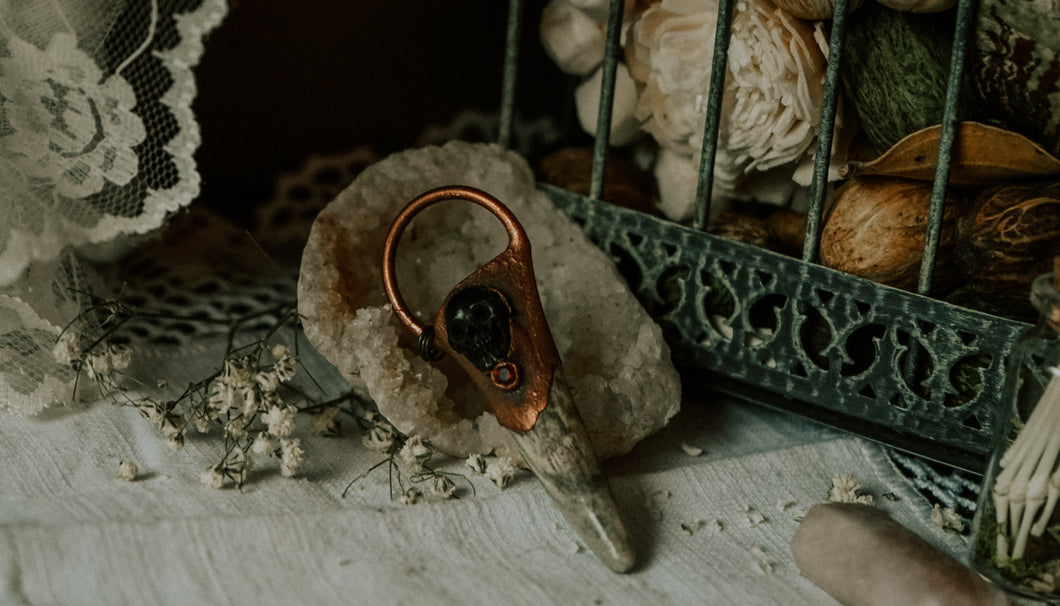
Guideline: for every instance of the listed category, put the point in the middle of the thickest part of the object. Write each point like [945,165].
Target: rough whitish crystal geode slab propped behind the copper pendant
[614,358]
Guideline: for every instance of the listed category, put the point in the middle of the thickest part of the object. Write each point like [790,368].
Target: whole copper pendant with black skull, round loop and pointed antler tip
[493,326]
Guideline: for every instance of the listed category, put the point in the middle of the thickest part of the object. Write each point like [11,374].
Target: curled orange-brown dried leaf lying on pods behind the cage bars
[982,156]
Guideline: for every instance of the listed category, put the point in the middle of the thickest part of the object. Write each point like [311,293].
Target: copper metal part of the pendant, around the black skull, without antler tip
[533,351]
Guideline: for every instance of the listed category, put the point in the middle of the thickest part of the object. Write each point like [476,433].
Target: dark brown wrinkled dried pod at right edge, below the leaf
[1009,239]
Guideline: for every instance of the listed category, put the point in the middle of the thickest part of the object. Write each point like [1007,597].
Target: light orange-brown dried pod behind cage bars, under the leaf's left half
[876,228]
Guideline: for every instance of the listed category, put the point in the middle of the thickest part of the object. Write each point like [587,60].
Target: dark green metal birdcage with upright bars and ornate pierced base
[902,368]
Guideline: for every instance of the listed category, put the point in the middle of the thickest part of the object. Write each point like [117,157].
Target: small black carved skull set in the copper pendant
[478,322]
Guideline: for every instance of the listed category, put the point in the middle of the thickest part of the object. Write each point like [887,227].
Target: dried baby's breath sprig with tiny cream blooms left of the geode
[253,399]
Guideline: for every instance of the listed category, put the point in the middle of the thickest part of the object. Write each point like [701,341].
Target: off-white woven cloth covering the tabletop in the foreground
[75,533]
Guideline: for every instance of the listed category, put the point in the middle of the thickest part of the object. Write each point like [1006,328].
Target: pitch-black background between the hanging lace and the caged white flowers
[281,80]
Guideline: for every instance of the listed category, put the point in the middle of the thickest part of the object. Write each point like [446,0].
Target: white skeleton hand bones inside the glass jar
[1028,489]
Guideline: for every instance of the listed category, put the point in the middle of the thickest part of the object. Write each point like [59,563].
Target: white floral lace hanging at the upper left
[97,138]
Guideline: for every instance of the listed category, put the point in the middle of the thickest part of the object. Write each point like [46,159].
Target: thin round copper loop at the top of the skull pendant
[517,241]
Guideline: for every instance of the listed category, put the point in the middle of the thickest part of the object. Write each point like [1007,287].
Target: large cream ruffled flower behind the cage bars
[773,92]
